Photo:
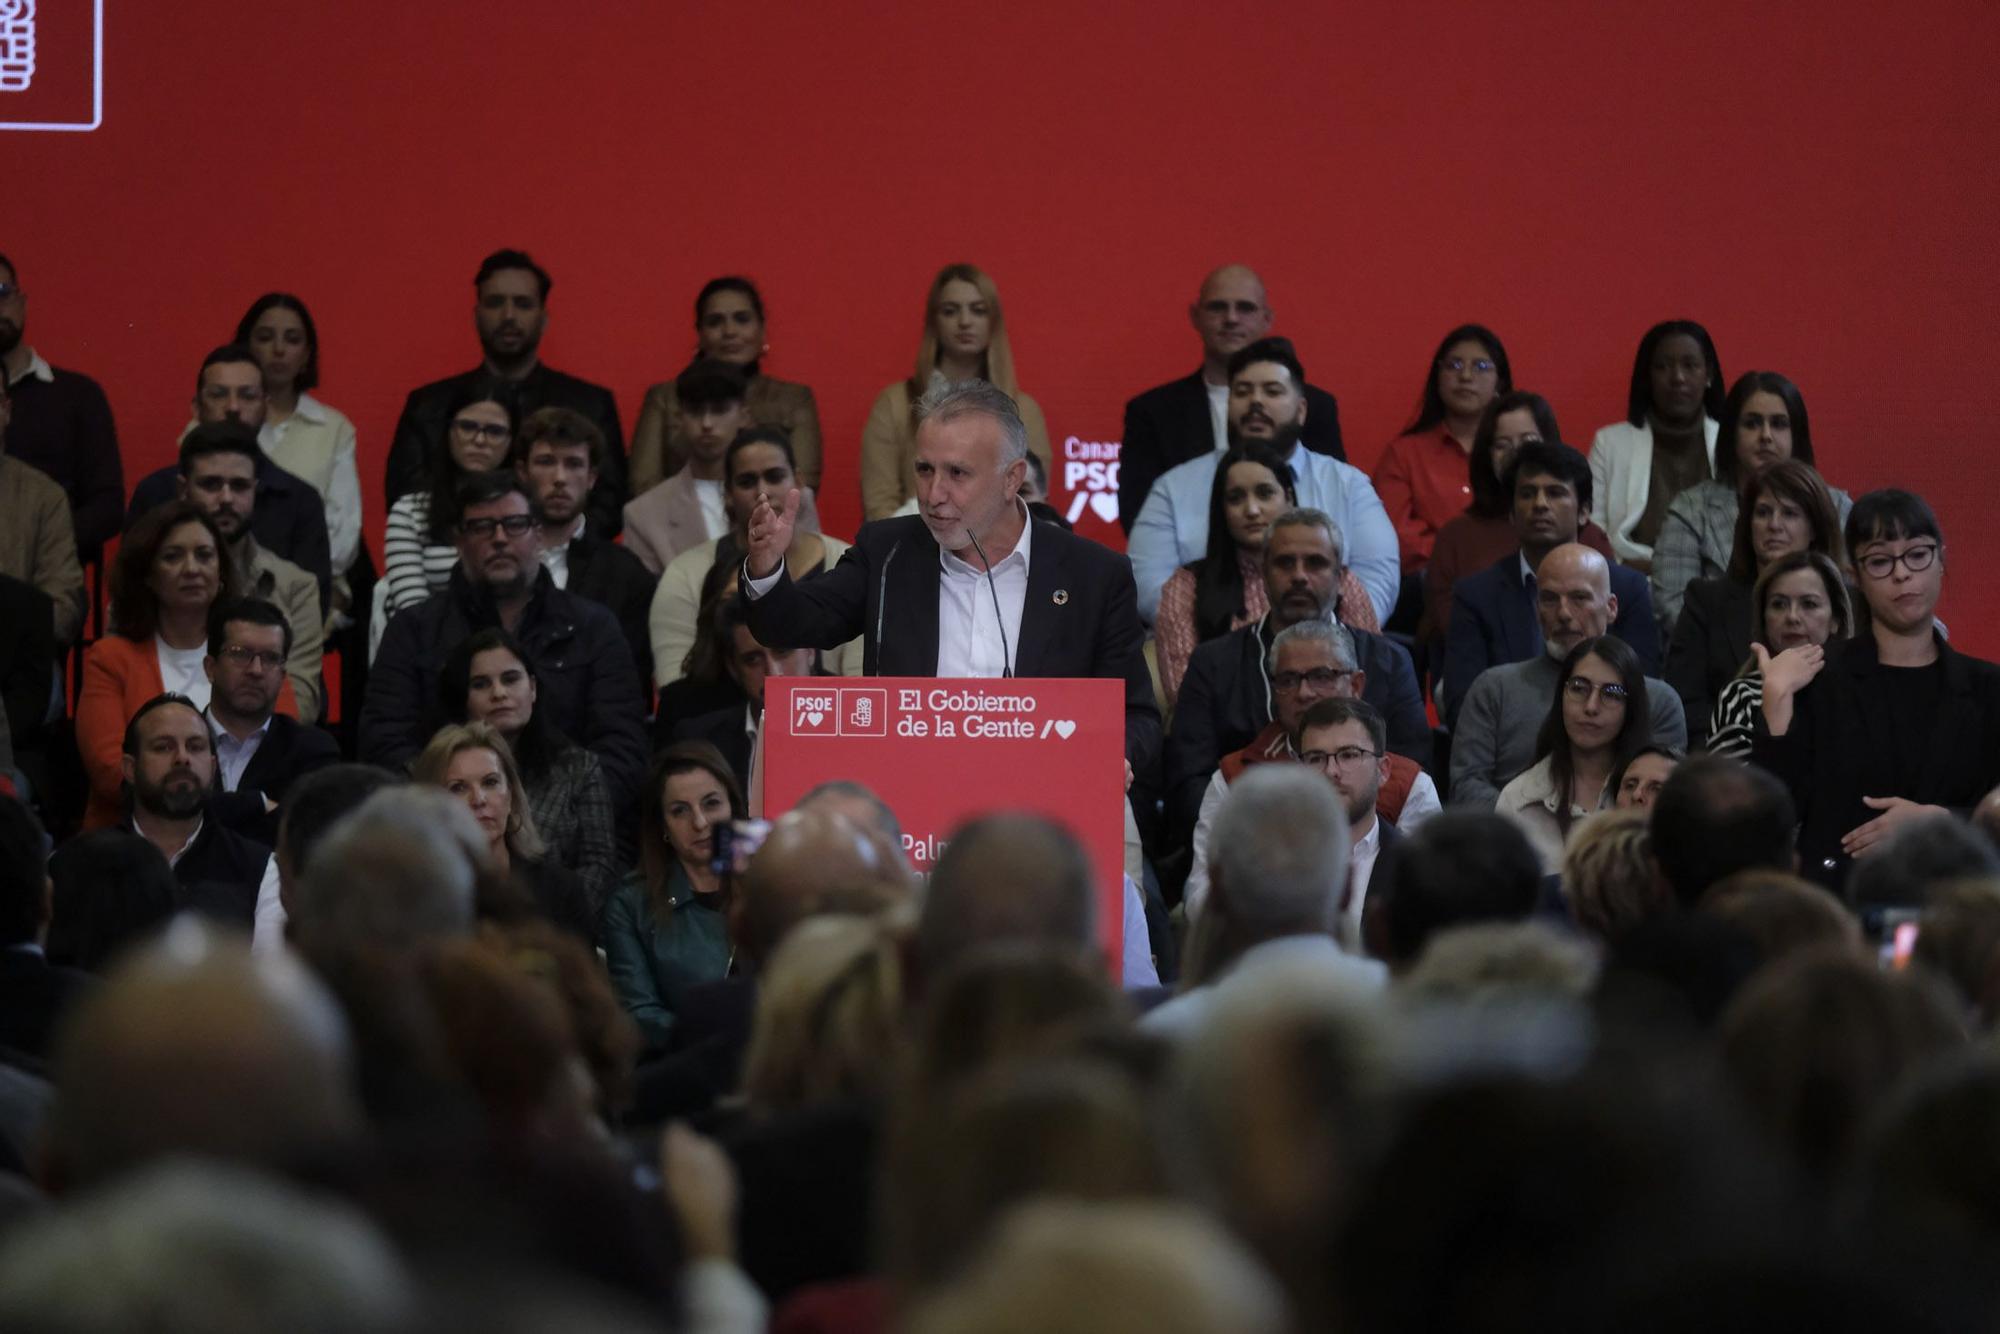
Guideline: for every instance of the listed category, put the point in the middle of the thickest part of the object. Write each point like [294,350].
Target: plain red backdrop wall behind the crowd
[1811,181]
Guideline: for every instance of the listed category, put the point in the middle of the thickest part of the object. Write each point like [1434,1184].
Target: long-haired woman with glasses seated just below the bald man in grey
[1595,725]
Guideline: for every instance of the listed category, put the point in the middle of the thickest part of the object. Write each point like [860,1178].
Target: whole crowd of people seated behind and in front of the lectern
[1621,823]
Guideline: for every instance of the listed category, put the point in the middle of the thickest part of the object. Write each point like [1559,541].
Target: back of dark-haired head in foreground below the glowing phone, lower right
[1815,1045]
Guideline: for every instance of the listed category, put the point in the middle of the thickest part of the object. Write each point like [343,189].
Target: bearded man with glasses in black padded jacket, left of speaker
[587,681]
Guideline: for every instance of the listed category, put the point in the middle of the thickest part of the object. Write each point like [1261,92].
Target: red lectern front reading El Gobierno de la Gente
[947,751]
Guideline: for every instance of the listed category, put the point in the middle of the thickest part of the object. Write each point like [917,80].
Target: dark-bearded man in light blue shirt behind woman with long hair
[1267,403]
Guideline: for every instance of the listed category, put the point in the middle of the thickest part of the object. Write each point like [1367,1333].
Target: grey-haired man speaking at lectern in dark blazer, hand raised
[969,585]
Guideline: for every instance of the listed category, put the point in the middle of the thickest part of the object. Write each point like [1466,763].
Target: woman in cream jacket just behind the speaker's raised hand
[755,463]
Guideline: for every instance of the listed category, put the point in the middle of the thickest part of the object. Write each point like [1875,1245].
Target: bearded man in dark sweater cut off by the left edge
[61,425]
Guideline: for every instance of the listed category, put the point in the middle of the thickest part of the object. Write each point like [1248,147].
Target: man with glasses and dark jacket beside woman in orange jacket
[259,751]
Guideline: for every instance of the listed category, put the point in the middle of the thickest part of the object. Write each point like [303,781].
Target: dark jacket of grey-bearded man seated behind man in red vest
[1225,703]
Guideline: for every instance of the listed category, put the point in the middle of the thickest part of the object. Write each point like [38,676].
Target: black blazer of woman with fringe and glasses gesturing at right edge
[1829,757]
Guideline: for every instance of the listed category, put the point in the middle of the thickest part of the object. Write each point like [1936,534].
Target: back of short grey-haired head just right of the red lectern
[1281,849]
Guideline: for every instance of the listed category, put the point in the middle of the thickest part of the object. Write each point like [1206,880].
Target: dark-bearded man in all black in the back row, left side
[511,313]
